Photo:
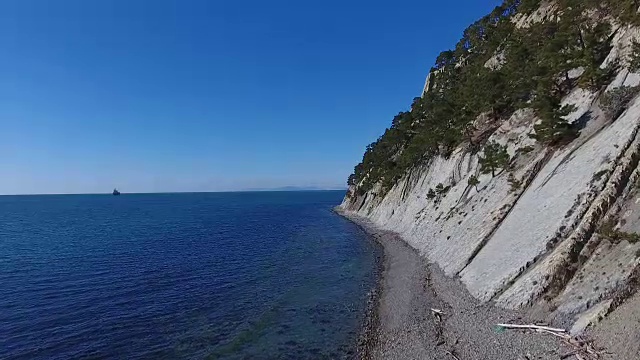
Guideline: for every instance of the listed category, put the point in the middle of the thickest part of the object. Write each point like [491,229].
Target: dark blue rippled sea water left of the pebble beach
[181,276]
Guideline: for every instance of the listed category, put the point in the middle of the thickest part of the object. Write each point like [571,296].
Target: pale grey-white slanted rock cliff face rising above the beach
[554,229]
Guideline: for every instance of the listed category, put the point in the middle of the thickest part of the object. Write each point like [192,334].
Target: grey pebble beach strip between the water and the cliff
[401,324]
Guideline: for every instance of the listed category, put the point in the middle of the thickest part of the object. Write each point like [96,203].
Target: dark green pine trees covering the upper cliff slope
[501,65]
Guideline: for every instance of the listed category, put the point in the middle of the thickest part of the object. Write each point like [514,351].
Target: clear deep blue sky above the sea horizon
[205,95]
